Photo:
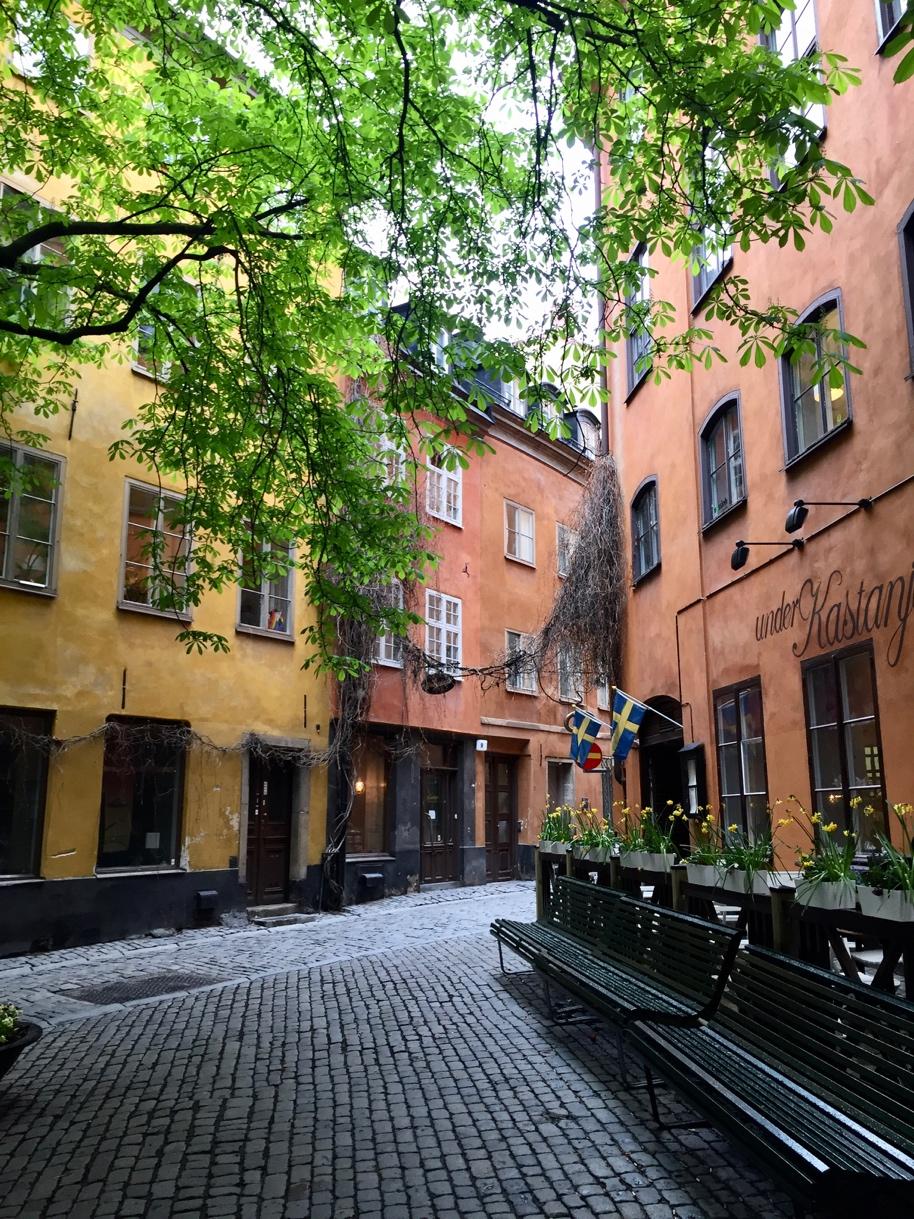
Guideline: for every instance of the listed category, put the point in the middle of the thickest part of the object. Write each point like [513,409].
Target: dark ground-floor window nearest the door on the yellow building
[142,791]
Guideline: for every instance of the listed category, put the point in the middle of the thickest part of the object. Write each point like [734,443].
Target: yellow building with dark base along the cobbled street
[140,787]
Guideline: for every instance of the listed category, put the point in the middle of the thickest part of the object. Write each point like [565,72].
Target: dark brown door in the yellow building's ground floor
[270,823]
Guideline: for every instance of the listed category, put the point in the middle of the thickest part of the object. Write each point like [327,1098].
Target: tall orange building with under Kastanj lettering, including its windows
[792,673]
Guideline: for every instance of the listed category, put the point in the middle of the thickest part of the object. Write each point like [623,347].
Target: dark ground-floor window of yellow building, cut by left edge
[24,772]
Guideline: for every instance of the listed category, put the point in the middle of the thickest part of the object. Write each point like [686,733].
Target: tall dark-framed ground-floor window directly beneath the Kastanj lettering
[844,741]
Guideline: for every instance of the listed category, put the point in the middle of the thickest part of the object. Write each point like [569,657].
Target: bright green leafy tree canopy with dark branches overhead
[249,188]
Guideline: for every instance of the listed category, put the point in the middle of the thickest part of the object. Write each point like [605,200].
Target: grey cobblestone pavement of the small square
[369,1066]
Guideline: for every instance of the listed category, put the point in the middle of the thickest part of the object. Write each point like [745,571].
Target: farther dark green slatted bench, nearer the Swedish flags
[621,958]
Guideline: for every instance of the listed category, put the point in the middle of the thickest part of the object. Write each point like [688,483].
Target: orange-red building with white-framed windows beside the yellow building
[452,788]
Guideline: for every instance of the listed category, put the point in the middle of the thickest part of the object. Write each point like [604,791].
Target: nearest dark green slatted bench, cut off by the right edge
[812,1073]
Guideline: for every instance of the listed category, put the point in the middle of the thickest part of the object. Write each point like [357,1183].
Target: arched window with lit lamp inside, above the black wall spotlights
[816,407]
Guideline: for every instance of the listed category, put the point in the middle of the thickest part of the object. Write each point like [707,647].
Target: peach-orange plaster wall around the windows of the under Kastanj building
[657,433]
